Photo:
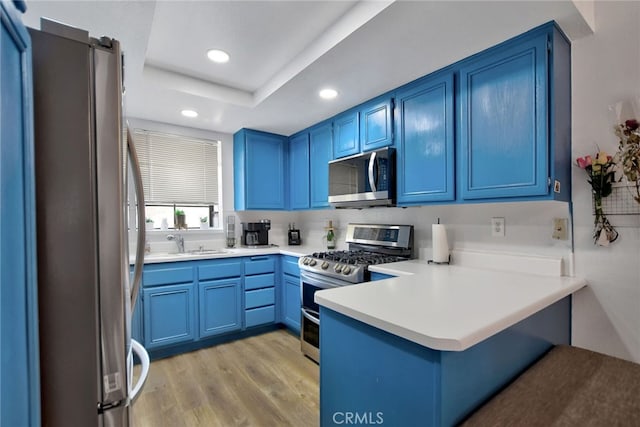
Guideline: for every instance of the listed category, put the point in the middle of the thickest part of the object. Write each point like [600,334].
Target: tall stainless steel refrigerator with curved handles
[85,288]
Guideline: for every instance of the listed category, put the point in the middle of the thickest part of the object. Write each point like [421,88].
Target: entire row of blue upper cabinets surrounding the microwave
[492,127]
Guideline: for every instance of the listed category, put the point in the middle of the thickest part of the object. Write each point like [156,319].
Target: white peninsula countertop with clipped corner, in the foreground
[446,307]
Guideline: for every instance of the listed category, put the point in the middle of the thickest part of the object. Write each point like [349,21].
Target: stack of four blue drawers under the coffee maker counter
[259,290]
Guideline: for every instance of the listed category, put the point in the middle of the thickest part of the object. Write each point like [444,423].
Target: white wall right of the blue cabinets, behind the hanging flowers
[606,69]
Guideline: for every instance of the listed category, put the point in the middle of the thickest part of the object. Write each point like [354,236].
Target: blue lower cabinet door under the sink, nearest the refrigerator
[169,315]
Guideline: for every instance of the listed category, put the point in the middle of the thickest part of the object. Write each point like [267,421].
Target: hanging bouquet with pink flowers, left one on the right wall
[601,170]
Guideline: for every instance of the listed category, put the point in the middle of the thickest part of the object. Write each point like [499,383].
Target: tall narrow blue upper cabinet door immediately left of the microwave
[320,144]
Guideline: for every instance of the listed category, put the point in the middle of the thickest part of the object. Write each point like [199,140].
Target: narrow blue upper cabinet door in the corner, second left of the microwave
[299,171]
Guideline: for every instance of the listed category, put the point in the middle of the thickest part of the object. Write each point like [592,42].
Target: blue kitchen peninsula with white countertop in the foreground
[431,345]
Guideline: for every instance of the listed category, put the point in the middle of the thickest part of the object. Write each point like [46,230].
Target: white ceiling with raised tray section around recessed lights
[283,52]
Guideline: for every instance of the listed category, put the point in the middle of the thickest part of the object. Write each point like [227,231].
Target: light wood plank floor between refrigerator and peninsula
[262,380]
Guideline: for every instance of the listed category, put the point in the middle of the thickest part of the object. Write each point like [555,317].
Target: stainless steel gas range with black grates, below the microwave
[369,244]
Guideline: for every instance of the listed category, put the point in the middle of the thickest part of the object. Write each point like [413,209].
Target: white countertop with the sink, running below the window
[298,251]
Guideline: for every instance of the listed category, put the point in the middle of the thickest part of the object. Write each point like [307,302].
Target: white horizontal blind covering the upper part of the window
[177,169]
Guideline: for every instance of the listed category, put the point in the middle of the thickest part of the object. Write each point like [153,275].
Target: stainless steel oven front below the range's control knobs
[311,282]
